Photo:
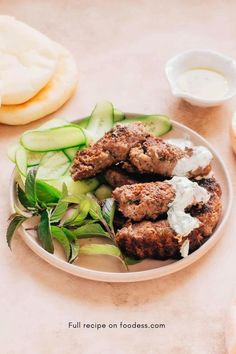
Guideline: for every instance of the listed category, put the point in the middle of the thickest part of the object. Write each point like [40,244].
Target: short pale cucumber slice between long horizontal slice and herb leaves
[53,165]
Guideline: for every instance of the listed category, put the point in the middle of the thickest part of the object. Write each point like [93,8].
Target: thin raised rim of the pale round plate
[143,275]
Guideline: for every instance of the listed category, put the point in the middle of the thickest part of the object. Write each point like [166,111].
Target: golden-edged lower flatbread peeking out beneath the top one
[58,90]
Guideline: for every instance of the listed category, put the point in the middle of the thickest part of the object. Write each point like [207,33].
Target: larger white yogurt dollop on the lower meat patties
[187,193]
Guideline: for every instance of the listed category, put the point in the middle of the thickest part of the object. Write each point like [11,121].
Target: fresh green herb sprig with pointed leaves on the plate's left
[67,219]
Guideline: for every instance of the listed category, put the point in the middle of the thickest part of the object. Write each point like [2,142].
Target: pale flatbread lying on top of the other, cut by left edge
[27,61]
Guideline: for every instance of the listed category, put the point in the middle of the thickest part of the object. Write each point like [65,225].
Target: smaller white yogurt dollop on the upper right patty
[201,157]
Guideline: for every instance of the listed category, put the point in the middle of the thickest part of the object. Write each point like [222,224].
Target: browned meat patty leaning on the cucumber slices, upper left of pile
[112,148]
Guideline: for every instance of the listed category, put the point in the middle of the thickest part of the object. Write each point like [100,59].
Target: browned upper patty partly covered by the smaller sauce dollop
[156,156]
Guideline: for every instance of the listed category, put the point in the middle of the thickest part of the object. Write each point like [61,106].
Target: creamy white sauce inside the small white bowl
[203,83]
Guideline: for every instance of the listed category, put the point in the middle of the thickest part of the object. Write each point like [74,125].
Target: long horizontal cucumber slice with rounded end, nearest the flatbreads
[53,138]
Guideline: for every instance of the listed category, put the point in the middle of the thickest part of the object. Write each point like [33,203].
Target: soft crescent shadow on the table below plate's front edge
[92,292]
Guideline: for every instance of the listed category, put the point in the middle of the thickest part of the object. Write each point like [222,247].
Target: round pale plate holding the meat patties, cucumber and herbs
[105,268]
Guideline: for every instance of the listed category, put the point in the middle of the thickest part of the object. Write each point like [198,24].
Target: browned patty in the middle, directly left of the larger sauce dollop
[144,200]
